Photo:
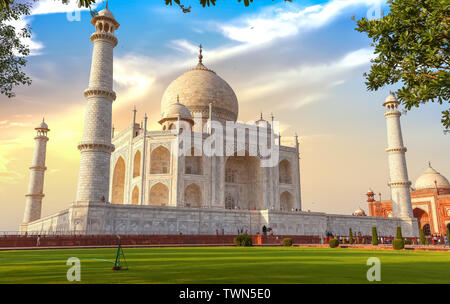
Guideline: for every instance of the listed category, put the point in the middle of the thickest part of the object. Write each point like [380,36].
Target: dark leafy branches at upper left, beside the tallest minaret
[13,50]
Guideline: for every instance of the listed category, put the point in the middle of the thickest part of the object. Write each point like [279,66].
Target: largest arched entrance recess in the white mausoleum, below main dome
[243,185]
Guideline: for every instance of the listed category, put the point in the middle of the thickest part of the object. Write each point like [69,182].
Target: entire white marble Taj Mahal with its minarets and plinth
[202,172]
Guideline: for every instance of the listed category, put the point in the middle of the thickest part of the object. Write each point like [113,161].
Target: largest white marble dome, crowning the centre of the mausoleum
[199,87]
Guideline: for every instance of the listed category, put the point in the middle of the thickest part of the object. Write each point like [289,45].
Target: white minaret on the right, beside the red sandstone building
[398,173]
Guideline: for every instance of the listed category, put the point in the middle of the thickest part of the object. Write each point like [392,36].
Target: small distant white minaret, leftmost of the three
[35,194]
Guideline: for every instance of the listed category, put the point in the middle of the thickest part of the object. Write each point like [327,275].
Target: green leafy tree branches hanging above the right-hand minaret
[412,48]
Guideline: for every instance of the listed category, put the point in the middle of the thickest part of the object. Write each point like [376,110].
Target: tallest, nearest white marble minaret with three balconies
[96,147]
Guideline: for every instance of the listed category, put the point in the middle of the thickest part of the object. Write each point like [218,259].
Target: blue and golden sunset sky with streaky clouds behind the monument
[301,61]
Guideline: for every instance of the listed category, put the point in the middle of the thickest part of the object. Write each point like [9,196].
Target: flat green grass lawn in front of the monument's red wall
[226,265]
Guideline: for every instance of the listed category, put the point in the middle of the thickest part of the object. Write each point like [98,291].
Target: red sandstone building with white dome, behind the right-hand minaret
[430,200]
